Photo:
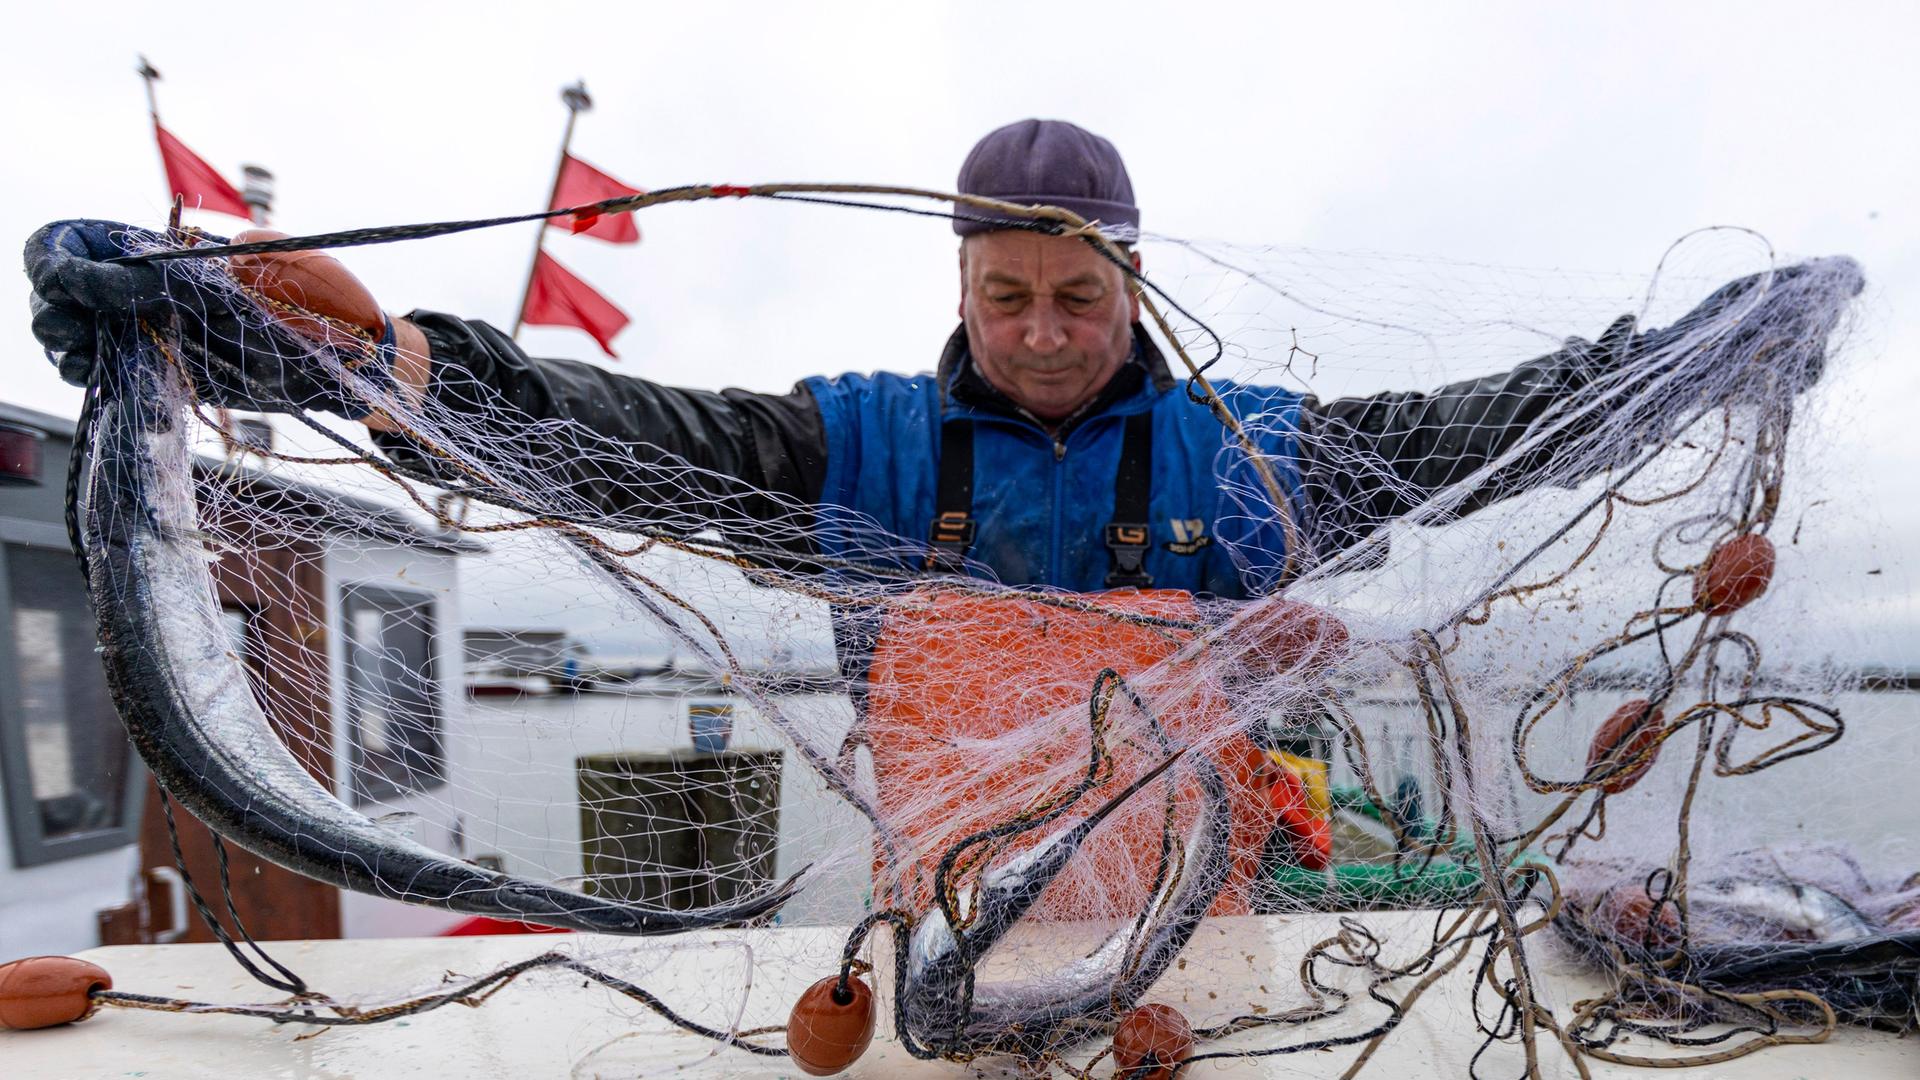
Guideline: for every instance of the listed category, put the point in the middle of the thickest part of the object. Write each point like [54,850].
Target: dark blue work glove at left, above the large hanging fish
[235,356]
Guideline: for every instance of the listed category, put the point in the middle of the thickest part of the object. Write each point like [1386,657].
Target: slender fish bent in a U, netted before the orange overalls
[1030,1018]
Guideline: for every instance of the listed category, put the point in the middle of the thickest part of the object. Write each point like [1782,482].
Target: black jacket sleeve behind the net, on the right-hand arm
[1372,460]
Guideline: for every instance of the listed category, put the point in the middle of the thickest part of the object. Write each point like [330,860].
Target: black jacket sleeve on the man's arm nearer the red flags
[627,445]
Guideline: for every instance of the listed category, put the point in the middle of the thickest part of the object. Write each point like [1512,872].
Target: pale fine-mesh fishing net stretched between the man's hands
[1547,695]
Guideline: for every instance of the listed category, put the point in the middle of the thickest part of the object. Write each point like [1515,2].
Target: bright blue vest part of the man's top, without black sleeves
[1042,501]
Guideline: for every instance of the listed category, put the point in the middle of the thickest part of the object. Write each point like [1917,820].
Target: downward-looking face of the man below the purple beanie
[1047,318]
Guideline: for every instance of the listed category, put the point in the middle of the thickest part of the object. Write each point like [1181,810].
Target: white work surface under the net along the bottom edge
[554,1025]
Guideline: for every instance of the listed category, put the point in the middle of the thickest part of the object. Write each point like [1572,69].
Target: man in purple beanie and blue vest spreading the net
[1053,445]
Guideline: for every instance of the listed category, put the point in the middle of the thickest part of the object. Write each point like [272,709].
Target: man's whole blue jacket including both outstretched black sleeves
[850,468]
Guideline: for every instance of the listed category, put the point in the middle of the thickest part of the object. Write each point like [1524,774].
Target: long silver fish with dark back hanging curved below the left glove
[193,716]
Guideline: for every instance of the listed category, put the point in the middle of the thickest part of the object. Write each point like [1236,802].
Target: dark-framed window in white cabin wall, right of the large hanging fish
[395,720]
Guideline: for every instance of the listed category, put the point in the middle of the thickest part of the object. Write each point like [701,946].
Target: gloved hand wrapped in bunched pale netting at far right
[1764,330]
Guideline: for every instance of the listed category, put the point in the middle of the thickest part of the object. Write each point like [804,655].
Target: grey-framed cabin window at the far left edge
[68,762]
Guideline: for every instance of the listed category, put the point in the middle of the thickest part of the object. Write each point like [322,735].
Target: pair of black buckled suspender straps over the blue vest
[1128,535]
